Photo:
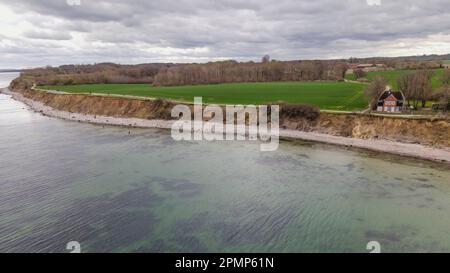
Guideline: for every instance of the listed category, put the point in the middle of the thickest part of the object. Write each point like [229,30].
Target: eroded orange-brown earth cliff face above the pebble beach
[422,131]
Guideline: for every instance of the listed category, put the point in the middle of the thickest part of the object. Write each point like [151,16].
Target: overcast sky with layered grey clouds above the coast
[54,32]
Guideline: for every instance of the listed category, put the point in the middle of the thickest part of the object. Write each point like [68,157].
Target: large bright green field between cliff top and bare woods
[326,95]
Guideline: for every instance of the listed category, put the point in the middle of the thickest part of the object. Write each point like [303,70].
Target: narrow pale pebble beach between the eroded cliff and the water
[378,145]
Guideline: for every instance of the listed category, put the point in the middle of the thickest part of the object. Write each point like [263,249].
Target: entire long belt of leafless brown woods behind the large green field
[189,74]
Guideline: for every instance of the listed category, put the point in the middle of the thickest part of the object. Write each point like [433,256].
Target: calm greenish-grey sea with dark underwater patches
[120,190]
